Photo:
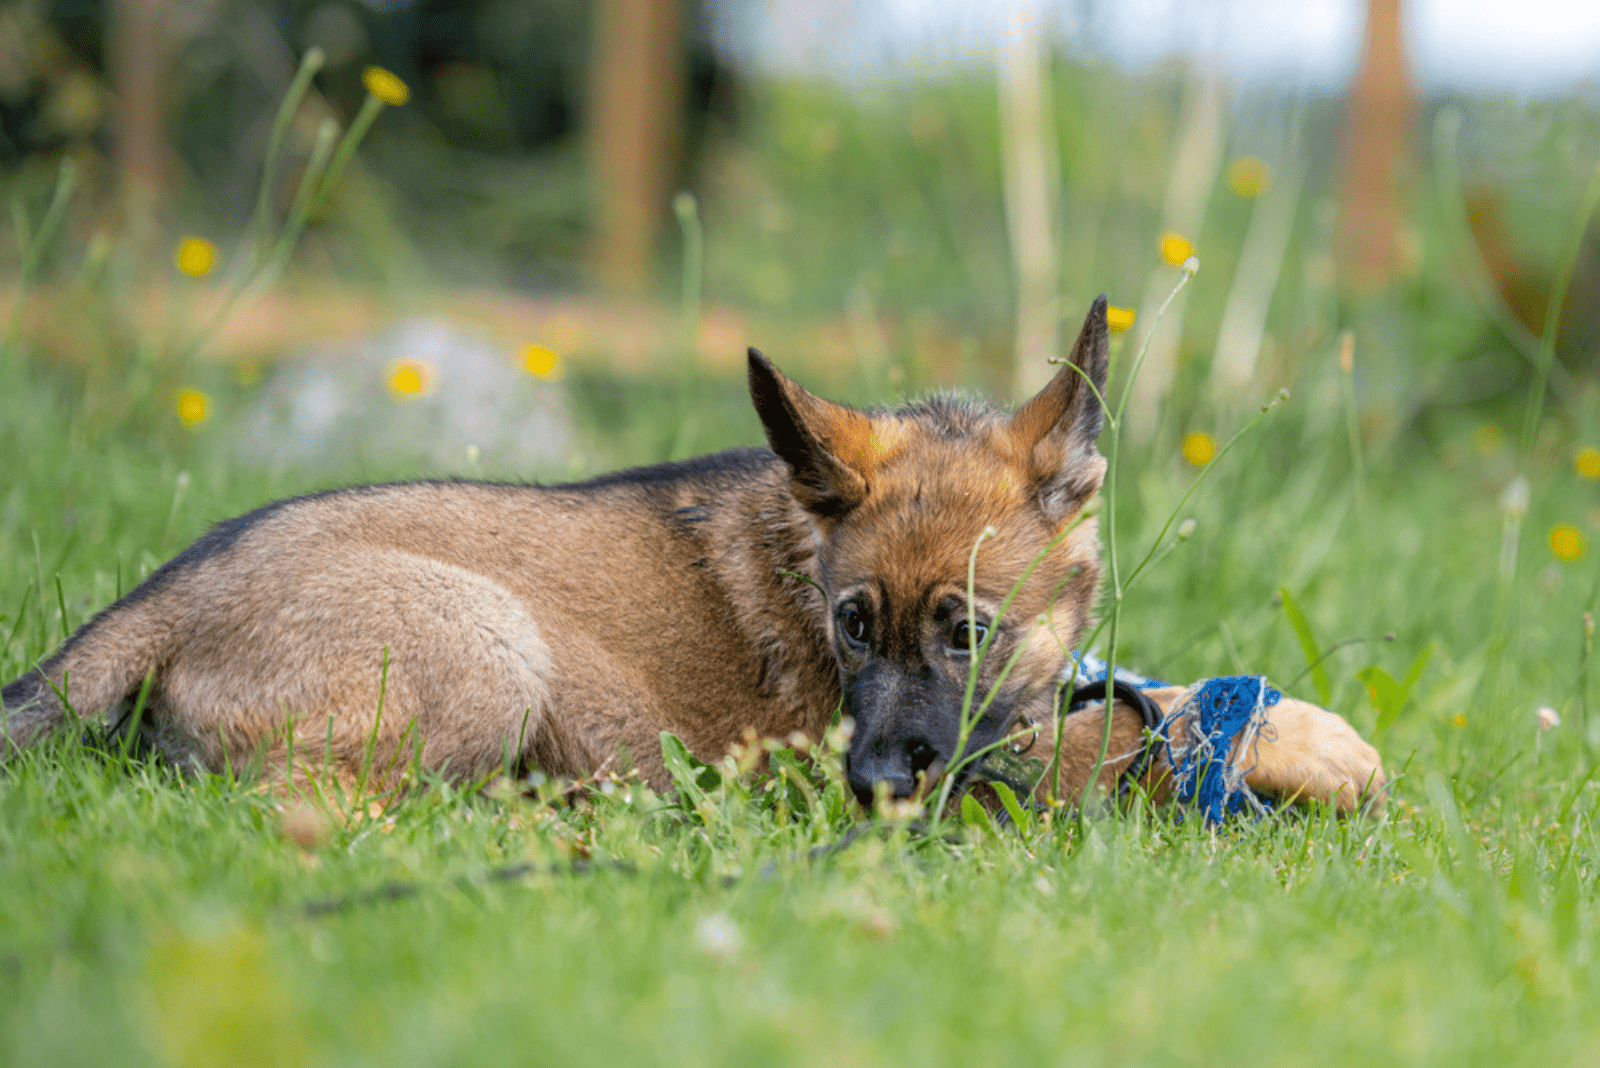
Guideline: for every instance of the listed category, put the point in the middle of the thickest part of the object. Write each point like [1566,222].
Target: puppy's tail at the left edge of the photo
[94,671]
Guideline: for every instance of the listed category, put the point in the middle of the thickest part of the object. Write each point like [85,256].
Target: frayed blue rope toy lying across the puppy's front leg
[1223,711]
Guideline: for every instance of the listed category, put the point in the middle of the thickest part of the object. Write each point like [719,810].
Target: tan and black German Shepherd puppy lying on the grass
[743,592]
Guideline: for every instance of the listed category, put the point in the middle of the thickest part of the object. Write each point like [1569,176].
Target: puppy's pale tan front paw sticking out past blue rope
[1308,754]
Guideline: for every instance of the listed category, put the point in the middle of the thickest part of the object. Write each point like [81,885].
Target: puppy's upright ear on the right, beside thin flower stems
[1058,428]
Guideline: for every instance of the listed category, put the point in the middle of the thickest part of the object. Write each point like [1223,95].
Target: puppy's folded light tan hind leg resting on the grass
[377,661]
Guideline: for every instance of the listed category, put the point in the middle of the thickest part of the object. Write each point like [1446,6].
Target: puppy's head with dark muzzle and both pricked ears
[900,500]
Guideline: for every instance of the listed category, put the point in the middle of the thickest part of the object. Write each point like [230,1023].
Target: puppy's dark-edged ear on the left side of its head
[828,447]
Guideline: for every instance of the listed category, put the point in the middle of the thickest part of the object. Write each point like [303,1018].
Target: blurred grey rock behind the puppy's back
[332,408]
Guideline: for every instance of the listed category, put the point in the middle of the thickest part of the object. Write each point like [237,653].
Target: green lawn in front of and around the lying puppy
[166,922]
